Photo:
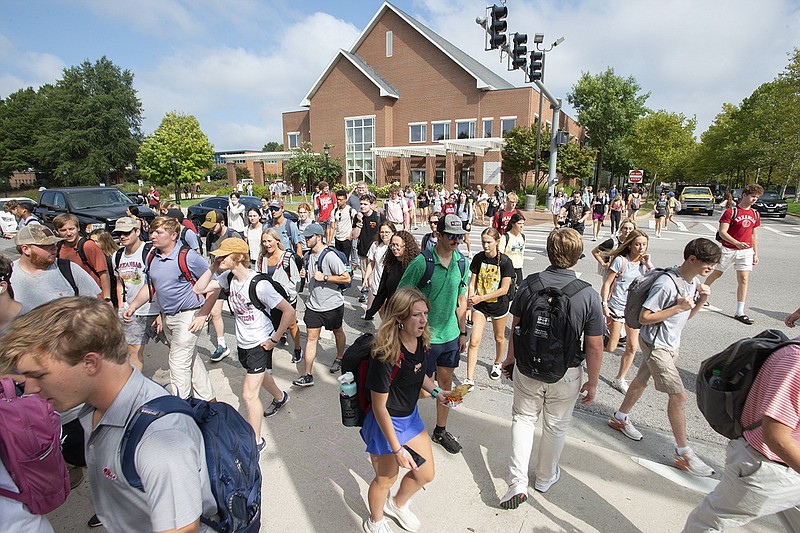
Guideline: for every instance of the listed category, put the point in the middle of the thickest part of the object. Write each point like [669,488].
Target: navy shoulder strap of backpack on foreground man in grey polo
[134,431]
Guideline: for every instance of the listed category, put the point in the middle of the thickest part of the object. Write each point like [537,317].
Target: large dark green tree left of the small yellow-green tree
[91,125]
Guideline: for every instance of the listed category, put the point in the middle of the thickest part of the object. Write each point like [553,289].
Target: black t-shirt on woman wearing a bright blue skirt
[404,388]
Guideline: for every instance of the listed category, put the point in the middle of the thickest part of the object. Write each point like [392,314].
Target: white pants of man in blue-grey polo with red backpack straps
[187,372]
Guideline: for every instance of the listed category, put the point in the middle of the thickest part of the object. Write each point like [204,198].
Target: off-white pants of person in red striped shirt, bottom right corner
[751,486]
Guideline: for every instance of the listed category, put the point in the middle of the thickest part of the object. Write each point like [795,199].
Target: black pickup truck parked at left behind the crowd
[95,207]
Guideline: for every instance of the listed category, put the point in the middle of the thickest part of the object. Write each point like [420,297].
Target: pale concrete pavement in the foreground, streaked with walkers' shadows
[316,473]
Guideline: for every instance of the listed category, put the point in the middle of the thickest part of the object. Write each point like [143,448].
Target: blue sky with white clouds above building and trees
[238,64]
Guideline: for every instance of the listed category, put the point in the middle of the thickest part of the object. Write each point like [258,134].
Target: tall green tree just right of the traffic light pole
[607,106]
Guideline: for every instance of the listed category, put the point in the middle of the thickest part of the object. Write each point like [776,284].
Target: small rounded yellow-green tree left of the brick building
[179,136]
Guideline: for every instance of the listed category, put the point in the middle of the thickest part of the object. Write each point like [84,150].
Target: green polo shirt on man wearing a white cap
[443,291]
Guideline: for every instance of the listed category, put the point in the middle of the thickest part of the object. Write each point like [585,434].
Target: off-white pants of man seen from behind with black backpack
[555,401]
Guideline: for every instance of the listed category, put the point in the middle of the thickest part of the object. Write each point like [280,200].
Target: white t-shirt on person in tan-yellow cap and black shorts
[252,326]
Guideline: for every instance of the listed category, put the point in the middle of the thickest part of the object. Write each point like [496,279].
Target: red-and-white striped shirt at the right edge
[775,393]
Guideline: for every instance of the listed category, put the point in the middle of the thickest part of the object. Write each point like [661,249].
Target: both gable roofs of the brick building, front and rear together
[485,79]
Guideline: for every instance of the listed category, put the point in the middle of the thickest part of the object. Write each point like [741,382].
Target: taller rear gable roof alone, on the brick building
[485,78]
